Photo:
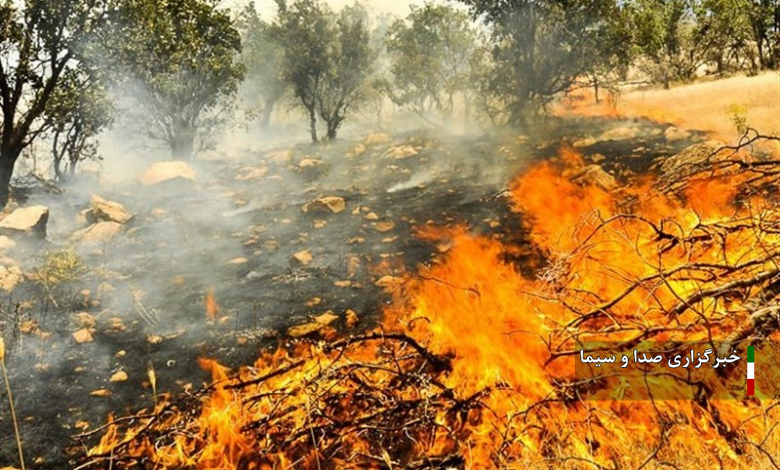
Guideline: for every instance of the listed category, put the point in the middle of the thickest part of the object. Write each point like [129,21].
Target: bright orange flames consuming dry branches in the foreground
[469,368]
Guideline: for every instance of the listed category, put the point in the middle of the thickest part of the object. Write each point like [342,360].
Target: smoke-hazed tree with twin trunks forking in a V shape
[327,59]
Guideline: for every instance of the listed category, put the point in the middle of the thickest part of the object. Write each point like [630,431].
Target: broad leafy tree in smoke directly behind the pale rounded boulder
[177,59]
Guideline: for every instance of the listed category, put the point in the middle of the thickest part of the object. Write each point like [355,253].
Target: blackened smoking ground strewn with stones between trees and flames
[234,232]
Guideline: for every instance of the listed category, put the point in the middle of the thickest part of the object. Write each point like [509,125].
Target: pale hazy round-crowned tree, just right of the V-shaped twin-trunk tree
[431,52]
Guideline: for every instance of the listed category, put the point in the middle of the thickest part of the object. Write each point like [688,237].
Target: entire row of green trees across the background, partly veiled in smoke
[67,69]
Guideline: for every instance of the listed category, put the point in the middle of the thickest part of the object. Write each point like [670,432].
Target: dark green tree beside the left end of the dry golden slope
[539,49]
